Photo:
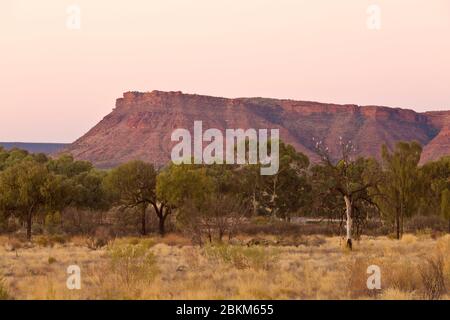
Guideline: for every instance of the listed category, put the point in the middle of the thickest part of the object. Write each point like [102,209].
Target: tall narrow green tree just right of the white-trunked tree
[400,190]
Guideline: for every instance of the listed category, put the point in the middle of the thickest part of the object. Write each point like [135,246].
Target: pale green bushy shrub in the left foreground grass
[133,263]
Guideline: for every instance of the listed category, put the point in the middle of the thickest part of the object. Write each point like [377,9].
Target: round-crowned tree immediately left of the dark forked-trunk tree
[133,186]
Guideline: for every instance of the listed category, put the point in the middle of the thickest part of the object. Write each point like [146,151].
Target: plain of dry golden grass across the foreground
[171,268]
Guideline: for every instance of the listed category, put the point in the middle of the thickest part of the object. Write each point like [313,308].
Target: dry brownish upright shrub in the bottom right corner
[433,278]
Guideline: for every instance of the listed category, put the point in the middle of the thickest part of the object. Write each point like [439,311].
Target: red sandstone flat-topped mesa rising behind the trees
[141,125]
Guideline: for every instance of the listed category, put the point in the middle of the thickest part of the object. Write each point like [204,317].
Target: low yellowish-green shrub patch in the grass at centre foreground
[242,257]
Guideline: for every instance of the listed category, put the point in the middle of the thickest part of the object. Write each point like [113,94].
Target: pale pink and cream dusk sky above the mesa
[63,63]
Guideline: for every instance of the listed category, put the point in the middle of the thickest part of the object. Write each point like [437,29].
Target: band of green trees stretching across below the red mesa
[42,194]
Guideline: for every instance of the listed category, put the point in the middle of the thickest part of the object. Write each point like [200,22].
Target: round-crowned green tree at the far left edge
[25,189]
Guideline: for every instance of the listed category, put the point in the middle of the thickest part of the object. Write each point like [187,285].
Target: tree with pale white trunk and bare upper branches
[352,180]
